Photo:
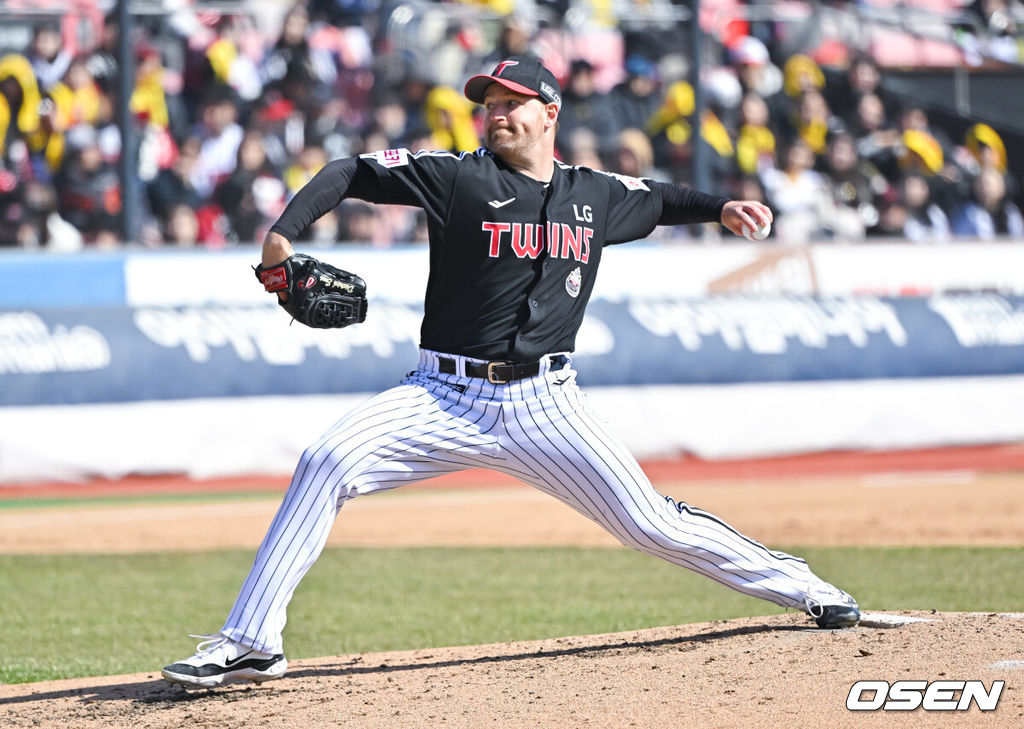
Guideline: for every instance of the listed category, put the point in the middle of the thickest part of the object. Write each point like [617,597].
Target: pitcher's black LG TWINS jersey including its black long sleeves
[514,261]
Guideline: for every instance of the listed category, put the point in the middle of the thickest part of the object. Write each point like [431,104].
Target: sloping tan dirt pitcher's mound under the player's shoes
[772,673]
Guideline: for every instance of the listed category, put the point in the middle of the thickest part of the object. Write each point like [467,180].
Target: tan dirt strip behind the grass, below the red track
[929,508]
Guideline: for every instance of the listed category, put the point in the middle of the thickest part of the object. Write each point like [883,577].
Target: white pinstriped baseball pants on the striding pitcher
[540,431]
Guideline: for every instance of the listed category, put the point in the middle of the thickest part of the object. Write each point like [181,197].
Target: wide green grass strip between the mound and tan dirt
[64,617]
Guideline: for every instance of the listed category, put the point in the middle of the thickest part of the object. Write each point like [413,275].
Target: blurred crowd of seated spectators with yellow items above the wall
[232,120]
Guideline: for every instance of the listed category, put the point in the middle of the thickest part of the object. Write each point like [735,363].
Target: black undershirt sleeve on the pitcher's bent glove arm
[338,180]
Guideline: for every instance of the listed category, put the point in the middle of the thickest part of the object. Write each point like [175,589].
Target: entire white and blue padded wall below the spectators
[178,363]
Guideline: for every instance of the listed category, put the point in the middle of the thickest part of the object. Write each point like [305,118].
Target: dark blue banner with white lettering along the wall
[119,355]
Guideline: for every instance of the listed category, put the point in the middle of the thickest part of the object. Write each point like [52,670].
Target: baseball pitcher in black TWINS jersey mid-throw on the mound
[517,240]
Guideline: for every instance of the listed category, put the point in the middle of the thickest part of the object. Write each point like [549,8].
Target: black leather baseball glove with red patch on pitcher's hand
[319,295]
